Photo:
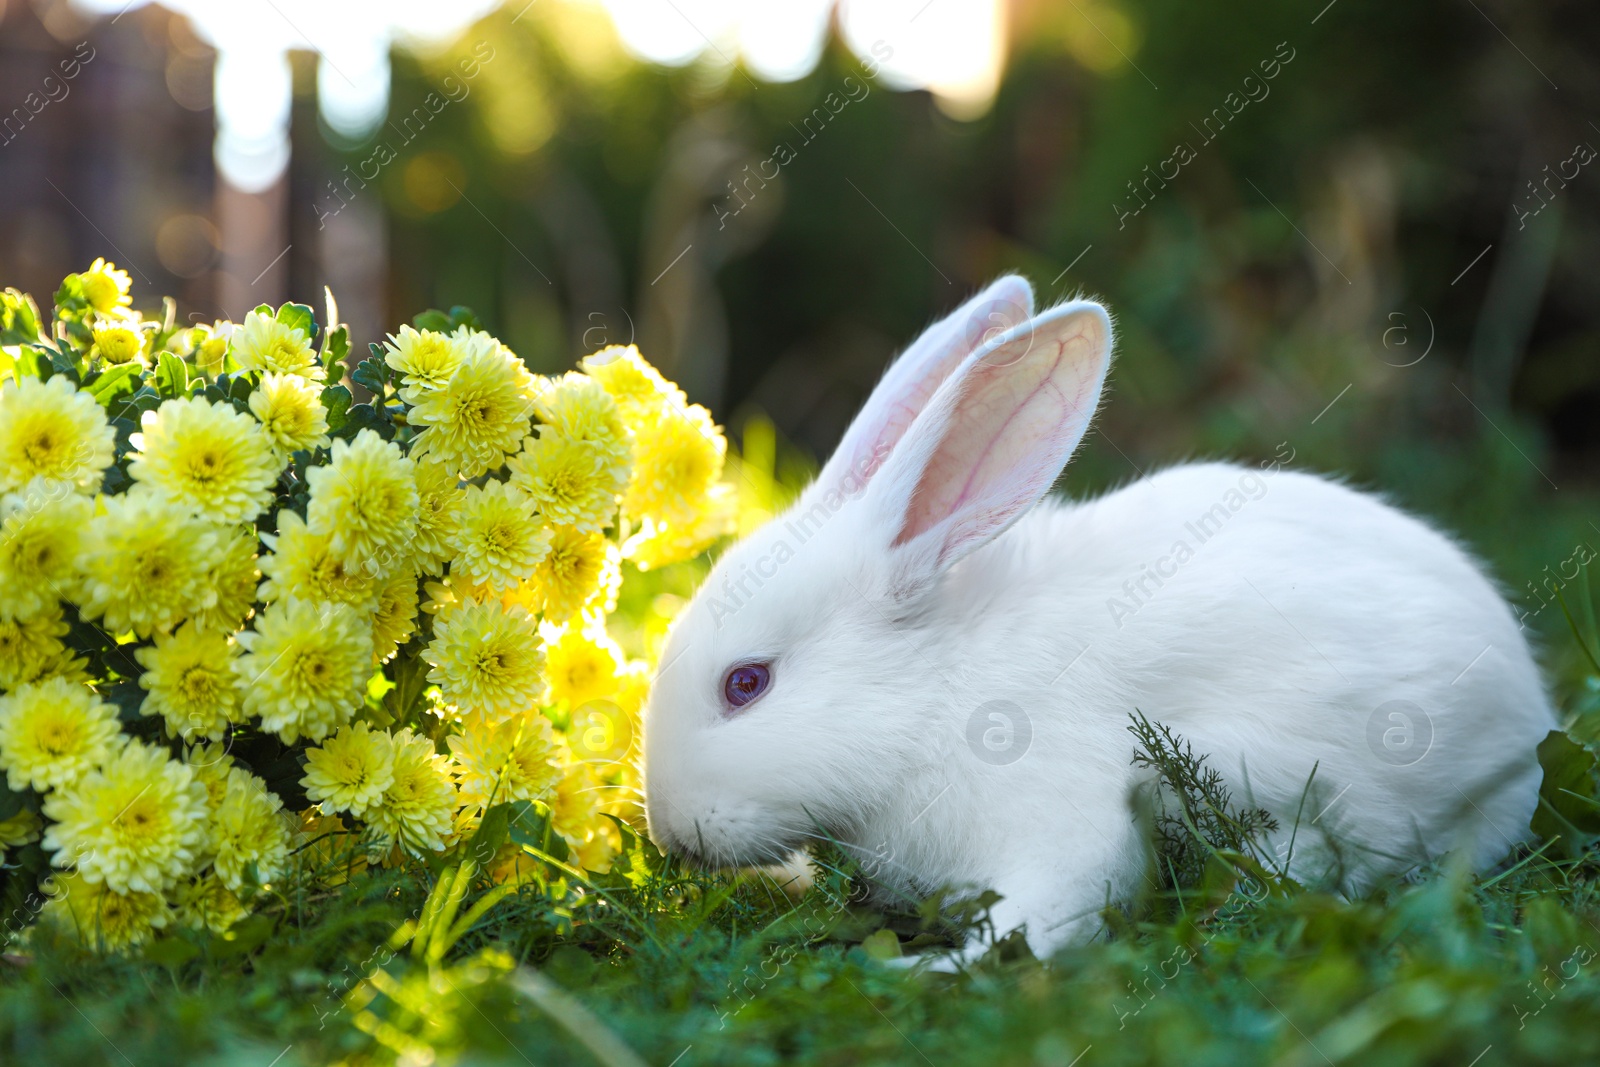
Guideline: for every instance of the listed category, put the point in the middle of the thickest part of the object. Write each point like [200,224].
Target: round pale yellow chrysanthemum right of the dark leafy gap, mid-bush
[487,658]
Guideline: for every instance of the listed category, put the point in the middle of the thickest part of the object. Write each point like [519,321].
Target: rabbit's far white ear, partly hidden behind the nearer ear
[913,380]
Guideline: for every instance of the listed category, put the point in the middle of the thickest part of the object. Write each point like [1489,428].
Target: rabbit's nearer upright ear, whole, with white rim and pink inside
[993,439]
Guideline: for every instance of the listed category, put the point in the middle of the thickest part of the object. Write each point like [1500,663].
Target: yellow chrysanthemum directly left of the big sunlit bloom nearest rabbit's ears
[572,482]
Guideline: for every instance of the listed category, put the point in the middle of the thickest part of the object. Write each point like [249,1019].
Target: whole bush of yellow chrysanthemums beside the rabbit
[242,612]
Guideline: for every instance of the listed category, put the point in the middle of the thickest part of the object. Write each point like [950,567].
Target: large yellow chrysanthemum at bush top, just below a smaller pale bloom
[481,415]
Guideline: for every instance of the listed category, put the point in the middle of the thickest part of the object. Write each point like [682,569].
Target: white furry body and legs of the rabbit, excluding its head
[1279,623]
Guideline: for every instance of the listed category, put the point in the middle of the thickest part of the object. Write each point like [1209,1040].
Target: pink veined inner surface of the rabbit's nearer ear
[1017,418]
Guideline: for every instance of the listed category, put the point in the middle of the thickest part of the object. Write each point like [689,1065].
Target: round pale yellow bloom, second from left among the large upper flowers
[206,457]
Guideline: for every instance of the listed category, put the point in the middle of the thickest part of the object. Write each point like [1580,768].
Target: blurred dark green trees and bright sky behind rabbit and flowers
[1354,236]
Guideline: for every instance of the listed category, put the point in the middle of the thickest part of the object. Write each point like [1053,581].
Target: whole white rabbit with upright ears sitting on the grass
[922,665]
